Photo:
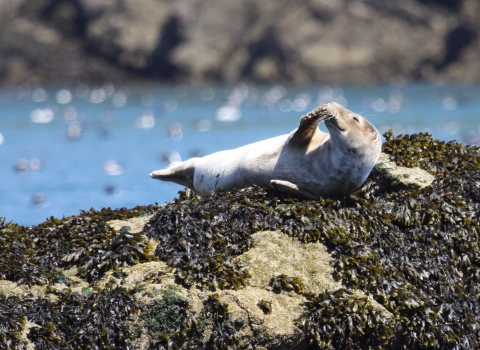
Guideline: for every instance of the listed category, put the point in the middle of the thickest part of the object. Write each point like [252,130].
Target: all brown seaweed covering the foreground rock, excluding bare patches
[414,251]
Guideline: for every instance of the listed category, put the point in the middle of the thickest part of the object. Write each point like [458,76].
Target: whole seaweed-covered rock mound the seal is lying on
[392,266]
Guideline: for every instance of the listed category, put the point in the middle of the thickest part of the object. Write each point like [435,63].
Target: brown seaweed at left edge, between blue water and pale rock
[35,255]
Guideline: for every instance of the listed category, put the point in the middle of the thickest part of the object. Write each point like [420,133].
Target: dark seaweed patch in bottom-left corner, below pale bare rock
[74,321]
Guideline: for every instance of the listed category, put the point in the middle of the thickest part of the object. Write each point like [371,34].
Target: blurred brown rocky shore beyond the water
[203,41]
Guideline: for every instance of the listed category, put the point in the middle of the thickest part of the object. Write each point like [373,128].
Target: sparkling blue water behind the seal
[67,149]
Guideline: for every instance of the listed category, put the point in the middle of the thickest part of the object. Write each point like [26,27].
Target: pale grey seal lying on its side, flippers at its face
[306,163]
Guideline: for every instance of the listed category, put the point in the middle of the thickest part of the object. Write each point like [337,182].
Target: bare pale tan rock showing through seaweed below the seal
[273,254]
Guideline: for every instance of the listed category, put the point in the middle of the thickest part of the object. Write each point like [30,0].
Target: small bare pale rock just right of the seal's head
[395,174]
